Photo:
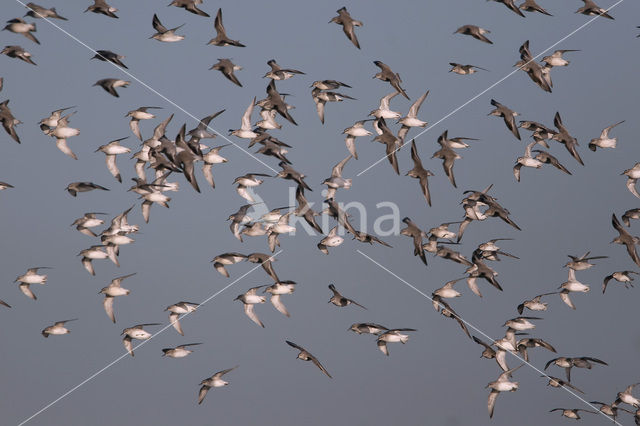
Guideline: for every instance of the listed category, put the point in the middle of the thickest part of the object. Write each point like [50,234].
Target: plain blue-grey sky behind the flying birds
[438,376]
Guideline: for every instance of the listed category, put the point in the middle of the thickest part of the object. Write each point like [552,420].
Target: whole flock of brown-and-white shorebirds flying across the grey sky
[179,156]
